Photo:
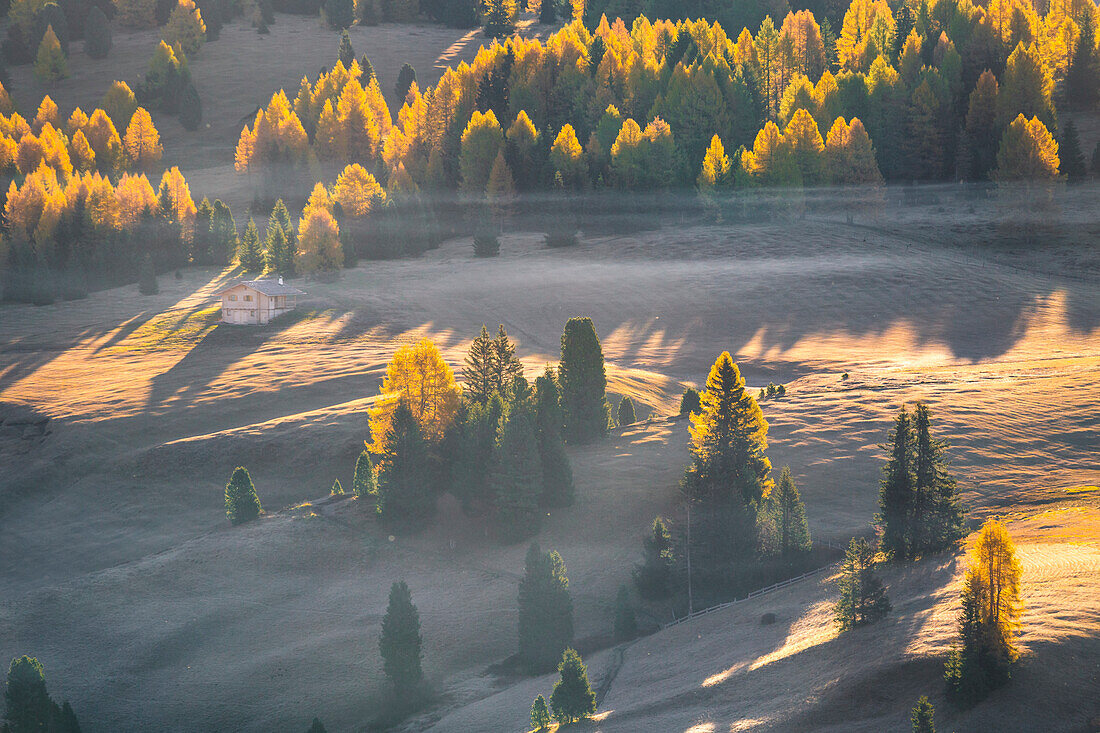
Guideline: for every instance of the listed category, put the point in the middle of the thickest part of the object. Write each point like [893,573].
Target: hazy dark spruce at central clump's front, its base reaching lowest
[518,477]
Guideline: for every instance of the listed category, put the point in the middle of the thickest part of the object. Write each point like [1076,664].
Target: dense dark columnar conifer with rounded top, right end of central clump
[584,384]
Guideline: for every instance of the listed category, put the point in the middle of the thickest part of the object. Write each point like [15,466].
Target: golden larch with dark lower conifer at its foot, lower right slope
[986,651]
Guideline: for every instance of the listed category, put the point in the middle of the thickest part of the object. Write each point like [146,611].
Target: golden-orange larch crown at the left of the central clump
[417,375]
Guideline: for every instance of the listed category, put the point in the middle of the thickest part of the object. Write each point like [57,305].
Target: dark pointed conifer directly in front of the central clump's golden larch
[403,471]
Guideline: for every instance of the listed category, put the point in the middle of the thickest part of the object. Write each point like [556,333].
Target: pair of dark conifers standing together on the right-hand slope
[919,504]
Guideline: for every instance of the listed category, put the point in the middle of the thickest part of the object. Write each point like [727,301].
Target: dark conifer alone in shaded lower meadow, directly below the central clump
[546,610]
